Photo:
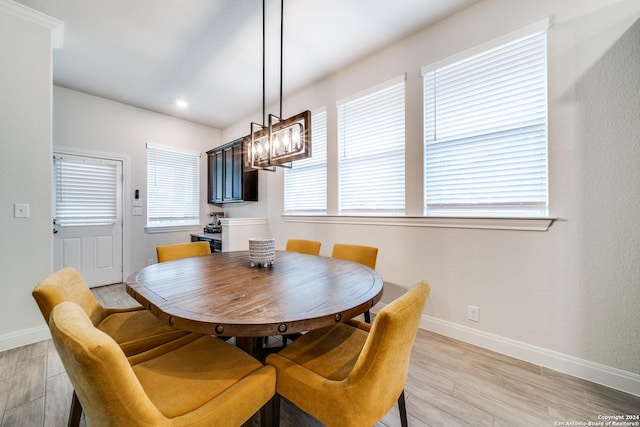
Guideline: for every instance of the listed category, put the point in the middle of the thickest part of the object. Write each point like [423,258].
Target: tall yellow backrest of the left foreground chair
[101,375]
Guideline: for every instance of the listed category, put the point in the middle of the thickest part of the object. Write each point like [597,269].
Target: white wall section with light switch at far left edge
[25,171]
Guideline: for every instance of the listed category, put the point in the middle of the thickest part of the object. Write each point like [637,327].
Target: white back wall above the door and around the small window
[97,125]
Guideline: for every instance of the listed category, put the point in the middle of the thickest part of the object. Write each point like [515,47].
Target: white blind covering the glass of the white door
[86,191]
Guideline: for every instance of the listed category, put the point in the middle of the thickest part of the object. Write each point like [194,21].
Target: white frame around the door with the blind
[126,196]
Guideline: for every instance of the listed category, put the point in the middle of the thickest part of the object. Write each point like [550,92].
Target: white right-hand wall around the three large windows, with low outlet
[568,296]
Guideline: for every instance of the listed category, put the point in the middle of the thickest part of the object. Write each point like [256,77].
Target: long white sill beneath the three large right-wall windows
[487,223]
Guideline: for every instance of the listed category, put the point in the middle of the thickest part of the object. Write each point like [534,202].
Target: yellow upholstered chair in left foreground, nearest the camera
[193,381]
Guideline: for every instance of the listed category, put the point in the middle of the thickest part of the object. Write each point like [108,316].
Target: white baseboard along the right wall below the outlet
[618,379]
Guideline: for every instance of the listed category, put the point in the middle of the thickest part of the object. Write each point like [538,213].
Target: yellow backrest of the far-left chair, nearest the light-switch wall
[67,285]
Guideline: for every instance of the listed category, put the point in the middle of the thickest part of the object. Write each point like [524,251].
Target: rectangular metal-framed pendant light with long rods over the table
[281,141]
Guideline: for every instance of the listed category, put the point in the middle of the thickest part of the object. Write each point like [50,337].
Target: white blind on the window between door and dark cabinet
[173,182]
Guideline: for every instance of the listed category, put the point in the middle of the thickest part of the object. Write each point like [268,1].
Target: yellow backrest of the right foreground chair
[383,364]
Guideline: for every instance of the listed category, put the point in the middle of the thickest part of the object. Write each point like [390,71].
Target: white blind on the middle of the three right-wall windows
[371,144]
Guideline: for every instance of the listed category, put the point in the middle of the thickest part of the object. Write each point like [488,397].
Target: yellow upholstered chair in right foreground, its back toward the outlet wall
[351,374]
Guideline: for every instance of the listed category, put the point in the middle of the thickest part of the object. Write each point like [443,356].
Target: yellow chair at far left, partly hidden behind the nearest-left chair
[134,329]
